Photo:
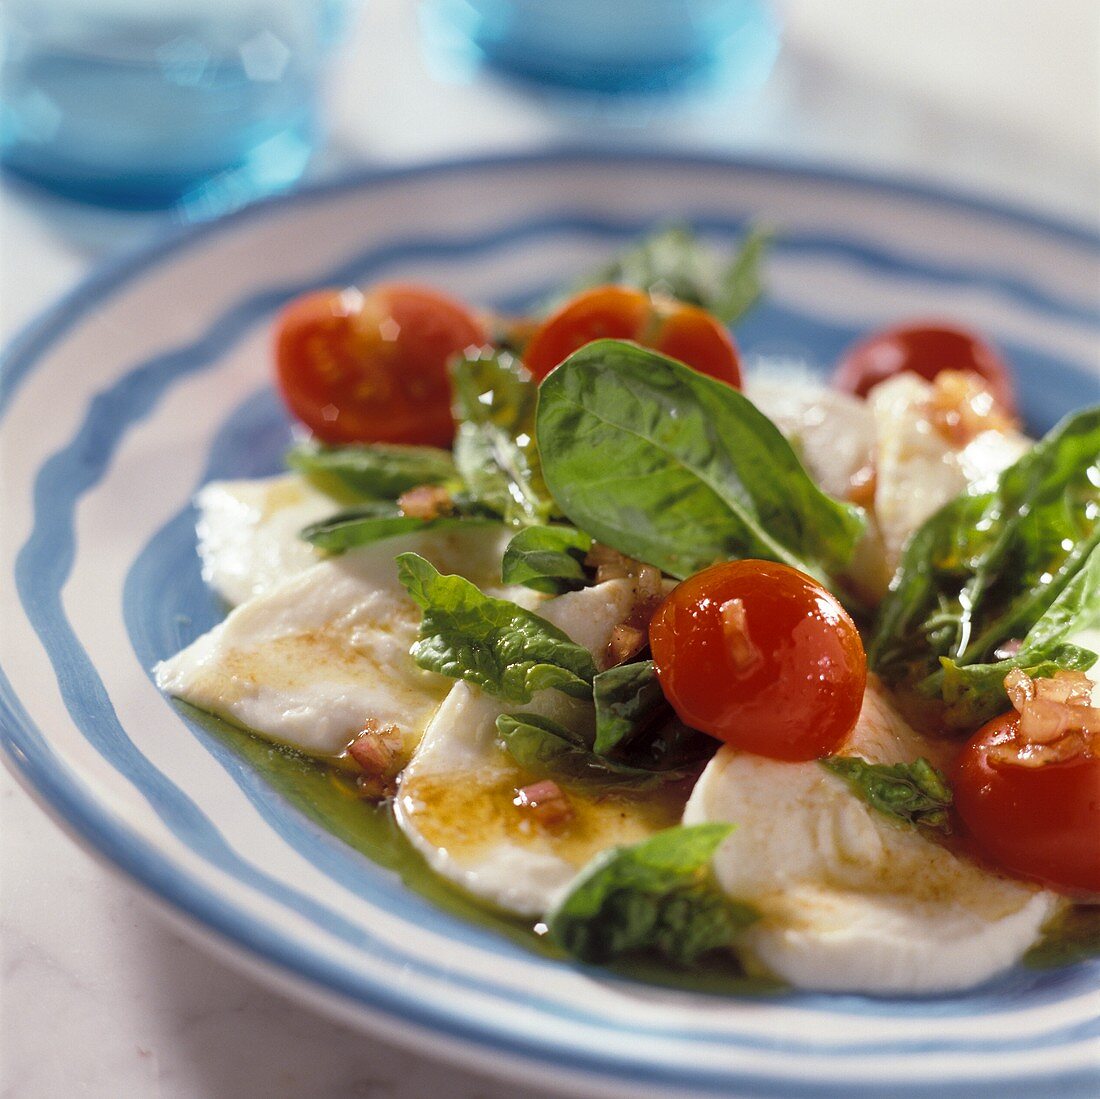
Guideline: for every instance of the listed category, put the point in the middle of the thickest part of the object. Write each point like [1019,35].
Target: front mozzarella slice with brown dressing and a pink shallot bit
[457,805]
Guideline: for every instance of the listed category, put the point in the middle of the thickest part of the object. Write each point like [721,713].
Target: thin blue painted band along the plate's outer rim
[93,823]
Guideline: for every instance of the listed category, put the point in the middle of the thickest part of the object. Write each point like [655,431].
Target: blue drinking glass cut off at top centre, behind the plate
[615,48]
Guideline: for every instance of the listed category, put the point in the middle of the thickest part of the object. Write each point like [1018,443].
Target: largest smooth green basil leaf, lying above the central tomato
[676,469]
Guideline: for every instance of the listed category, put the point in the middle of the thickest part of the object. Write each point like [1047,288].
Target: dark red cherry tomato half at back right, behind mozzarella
[925,349]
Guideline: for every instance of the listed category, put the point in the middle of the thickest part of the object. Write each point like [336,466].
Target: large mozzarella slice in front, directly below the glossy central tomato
[851,902]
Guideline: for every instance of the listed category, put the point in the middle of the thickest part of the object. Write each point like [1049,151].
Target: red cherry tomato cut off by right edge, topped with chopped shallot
[1042,822]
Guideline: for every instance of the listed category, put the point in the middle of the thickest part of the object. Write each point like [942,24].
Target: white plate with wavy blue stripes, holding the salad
[155,377]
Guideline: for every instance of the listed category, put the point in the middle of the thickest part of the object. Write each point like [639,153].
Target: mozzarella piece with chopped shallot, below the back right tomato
[918,470]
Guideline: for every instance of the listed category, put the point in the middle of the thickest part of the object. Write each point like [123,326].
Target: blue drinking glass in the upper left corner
[142,104]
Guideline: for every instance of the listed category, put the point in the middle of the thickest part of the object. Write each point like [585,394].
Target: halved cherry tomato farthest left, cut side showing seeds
[372,368]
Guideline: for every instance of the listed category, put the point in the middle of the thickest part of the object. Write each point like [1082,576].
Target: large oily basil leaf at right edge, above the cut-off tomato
[988,568]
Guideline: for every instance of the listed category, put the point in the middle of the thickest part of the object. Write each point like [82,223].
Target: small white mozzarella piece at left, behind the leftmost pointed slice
[249,533]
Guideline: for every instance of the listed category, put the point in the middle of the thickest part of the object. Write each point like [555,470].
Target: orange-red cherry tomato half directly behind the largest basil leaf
[678,331]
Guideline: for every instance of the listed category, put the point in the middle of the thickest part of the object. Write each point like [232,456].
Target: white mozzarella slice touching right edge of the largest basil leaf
[832,433]
